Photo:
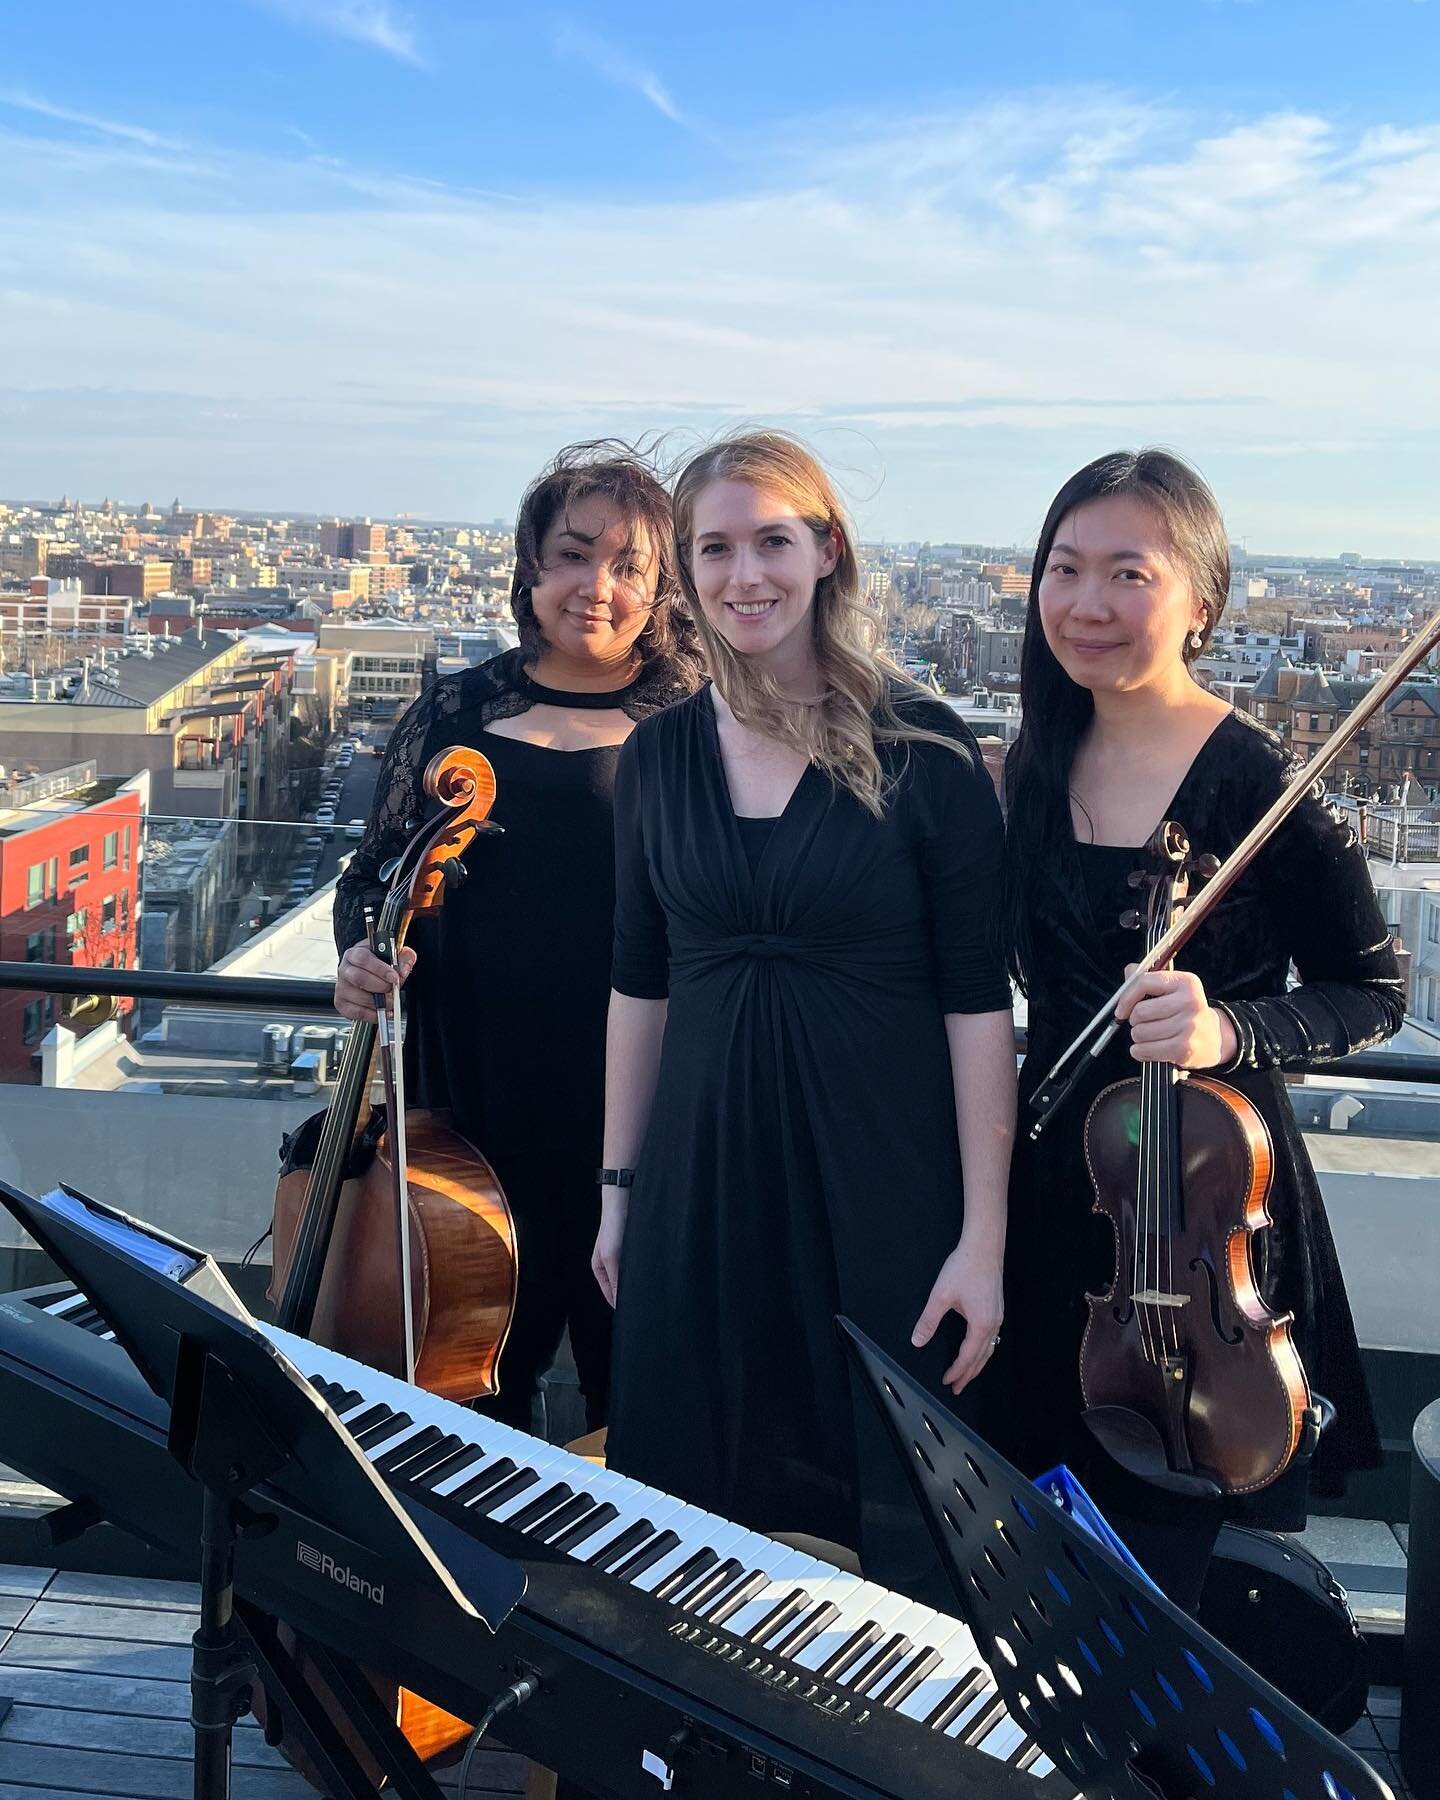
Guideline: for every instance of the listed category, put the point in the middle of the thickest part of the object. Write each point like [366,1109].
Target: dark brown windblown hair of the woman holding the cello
[620,474]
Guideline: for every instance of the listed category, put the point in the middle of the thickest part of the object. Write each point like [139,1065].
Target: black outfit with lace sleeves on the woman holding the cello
[507,1005]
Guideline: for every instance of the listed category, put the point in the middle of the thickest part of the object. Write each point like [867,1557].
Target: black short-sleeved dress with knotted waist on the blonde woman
[802,1156]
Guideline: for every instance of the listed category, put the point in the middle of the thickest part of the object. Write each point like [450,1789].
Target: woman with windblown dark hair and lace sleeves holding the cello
[508,987]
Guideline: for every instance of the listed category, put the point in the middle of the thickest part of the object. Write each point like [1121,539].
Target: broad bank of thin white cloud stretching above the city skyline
[987,298]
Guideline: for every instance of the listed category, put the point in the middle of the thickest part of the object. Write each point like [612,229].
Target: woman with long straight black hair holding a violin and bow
[1131,579]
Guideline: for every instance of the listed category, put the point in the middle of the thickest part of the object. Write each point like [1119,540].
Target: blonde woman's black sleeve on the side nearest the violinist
[960,838]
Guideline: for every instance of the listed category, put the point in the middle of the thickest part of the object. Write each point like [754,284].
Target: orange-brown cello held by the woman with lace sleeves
[408,1264]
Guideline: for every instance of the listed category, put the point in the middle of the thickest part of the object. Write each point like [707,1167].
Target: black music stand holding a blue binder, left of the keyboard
[244,1416]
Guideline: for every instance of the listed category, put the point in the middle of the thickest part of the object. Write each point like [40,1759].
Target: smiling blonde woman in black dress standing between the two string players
[811,1066]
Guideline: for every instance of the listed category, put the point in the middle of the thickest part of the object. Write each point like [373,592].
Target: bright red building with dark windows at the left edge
[69,890]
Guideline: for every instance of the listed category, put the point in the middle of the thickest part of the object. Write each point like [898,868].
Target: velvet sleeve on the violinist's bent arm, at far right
[1322,904]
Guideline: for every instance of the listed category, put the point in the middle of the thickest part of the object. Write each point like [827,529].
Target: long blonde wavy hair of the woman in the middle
[859,683]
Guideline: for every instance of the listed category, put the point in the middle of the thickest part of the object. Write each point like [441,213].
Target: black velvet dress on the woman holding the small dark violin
[1306,901]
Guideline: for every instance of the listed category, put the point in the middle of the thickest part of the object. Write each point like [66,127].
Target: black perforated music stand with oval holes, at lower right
[1131,1698]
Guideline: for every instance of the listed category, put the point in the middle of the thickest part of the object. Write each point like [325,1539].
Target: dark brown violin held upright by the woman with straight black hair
[1189,1380]
